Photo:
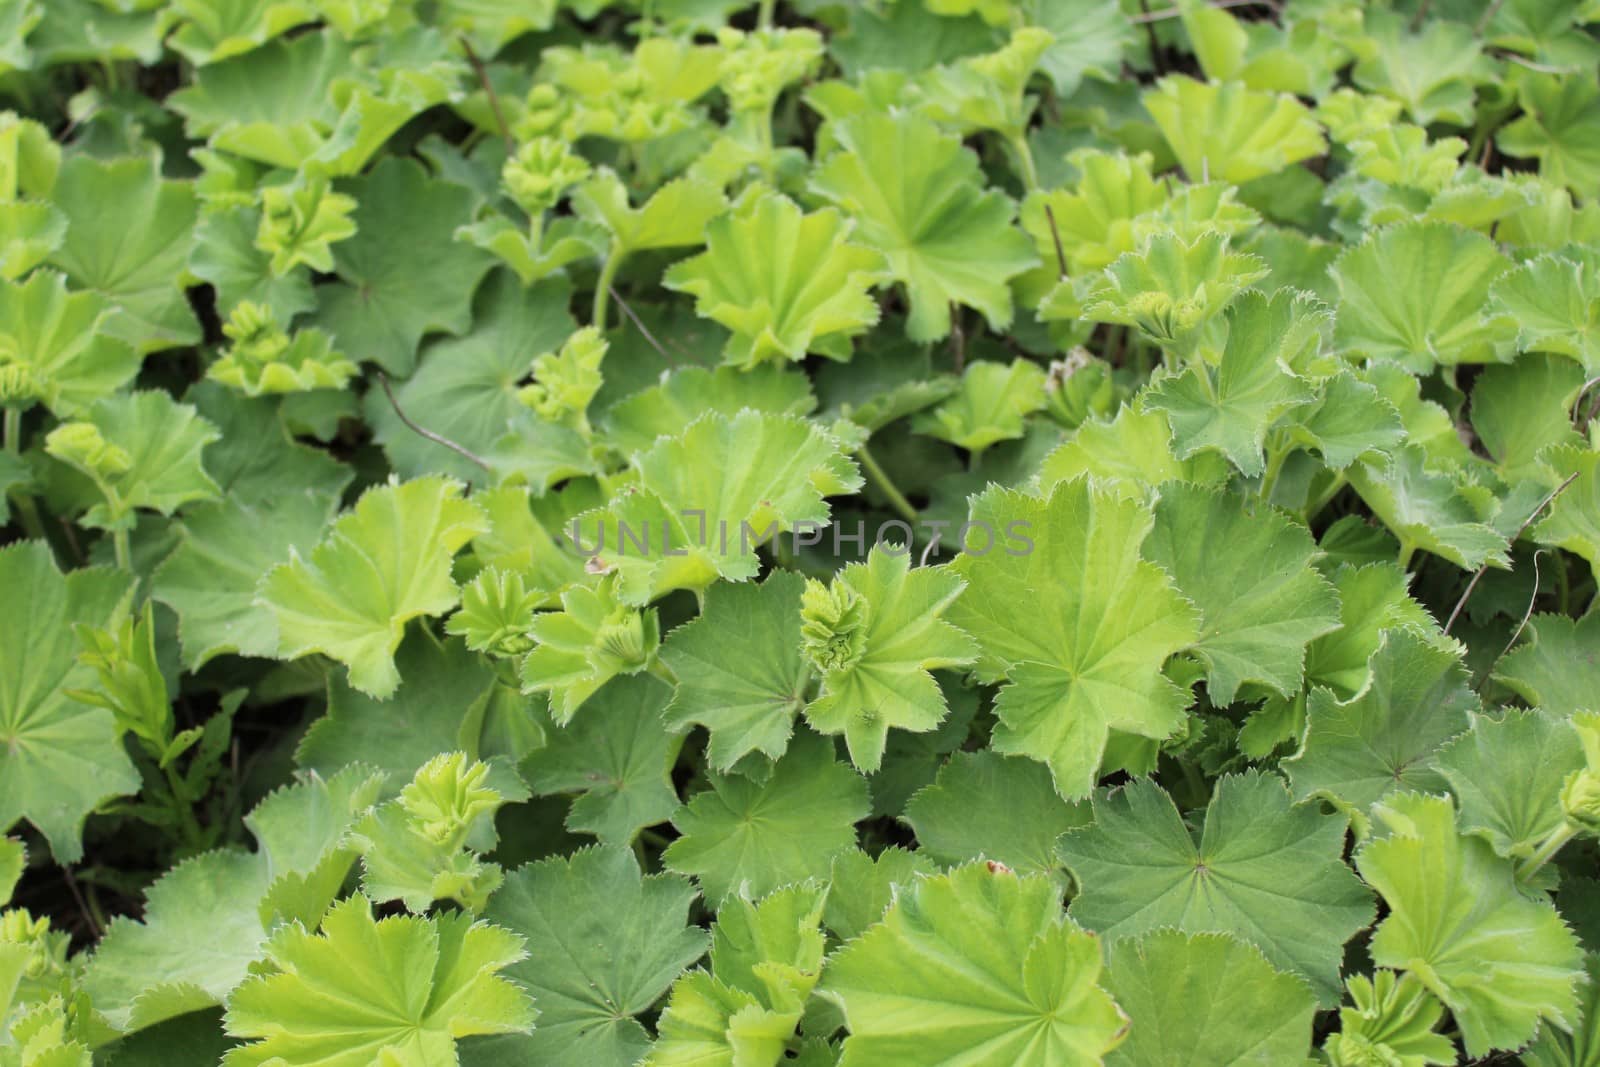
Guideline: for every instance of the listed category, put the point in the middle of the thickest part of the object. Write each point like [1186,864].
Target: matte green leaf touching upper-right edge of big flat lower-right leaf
[1388,737]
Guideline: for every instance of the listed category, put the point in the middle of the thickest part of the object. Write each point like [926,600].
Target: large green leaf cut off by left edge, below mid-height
[58,759]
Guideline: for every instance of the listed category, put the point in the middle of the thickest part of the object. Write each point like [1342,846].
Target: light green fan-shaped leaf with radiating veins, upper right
[1417,294]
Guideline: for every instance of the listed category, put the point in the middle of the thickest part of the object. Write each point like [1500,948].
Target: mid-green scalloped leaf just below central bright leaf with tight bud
[748,837]
